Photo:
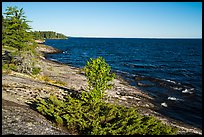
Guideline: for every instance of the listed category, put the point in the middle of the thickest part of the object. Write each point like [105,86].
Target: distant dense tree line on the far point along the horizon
[47,35]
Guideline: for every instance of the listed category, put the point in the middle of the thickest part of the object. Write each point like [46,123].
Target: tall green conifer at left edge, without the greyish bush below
[15,29]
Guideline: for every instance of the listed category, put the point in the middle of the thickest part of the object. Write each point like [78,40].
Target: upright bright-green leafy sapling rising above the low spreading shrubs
[98,74]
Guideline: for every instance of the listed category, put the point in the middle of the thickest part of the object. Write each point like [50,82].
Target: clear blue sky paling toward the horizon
[115,19]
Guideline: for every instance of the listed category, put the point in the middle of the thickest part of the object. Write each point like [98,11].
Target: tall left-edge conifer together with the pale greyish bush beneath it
[17,39]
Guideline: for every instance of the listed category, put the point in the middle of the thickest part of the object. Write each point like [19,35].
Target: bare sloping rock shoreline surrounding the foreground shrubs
[19,89]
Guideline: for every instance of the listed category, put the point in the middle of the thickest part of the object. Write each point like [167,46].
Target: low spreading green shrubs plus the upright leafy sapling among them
[86,115]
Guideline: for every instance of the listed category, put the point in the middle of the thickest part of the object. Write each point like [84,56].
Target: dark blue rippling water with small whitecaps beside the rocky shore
[169,70]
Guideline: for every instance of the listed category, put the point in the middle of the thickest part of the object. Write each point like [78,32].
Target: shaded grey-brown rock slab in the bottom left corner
[21,120]
